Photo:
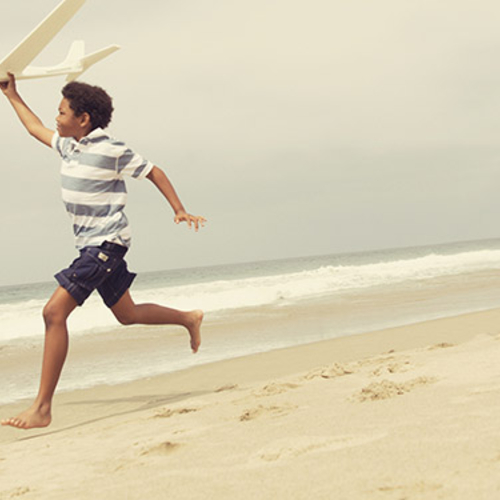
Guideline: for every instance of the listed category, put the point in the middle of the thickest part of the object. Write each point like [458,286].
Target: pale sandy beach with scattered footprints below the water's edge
[403,413]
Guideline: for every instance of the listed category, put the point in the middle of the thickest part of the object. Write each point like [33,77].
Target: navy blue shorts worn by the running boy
[102,268]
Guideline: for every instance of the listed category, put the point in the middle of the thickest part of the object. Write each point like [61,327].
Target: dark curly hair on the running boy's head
[85,98]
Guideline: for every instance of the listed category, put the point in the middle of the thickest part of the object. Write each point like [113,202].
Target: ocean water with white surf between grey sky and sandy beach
[367,290]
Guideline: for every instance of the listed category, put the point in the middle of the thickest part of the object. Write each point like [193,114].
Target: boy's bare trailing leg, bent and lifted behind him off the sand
[128,313]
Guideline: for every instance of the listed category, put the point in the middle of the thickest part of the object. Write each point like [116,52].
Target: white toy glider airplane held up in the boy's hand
[75,63]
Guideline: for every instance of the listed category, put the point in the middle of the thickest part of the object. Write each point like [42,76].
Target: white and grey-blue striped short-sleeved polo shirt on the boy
[93,186]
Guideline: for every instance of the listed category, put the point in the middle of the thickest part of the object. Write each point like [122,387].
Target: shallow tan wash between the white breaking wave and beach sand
[124,354]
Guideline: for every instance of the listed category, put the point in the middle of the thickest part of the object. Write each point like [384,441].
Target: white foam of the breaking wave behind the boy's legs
[22,319]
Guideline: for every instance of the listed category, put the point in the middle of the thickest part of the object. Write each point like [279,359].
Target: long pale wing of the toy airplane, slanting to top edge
[35,42]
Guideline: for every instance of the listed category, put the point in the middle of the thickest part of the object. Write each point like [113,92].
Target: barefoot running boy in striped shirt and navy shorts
[93,191]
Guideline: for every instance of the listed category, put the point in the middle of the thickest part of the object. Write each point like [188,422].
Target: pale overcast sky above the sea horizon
[295,127]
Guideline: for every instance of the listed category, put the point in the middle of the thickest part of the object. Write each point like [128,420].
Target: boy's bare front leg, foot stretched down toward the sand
[55,313]
